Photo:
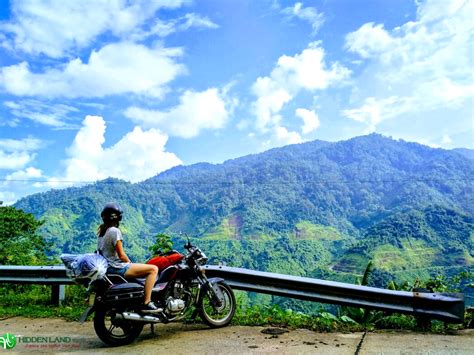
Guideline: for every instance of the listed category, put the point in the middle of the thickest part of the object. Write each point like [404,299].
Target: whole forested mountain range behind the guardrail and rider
[316,208]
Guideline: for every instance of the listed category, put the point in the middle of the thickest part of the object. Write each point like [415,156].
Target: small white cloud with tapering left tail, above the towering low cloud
[196,111]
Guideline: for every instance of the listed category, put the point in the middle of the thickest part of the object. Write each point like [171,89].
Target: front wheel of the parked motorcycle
[218,315]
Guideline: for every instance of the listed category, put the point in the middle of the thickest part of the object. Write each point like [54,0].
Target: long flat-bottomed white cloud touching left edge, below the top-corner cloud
[114,69]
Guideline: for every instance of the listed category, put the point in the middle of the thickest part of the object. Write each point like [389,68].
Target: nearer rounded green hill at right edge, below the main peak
[406,243]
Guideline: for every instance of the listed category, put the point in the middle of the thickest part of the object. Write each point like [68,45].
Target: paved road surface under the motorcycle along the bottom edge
[58,336]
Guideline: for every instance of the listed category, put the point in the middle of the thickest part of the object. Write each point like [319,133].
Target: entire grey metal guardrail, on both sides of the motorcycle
[448,307]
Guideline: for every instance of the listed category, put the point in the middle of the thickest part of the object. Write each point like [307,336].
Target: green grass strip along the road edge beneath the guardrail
[33,301]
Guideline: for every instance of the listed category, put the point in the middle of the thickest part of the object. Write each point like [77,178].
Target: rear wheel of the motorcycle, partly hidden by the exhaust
[115,332]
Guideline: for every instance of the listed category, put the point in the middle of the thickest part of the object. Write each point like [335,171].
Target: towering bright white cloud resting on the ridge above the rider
[137,156]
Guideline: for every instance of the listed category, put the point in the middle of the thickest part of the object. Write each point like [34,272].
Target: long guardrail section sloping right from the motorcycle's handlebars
[448,307]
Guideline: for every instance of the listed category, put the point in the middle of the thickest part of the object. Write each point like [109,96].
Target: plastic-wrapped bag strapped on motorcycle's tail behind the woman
[85,268]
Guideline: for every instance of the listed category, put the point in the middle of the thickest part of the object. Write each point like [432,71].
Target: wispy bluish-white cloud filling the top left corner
[55,27]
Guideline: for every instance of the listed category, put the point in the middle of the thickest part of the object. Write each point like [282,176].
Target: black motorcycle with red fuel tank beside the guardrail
[180,288]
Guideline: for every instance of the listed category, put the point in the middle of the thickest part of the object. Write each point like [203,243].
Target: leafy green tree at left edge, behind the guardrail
[20,244]
